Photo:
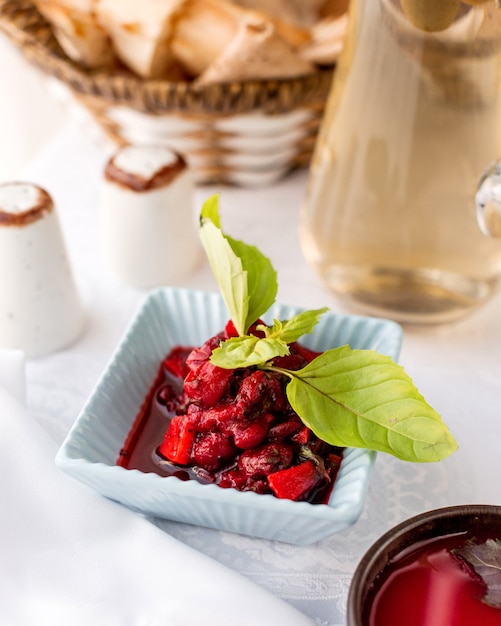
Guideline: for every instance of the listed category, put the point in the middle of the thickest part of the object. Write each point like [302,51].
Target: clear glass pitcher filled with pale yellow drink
[411,126]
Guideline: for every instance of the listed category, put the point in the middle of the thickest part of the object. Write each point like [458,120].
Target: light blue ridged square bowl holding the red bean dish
[173,316]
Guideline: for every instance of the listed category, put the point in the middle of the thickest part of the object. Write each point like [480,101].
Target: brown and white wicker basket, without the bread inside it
[242,133]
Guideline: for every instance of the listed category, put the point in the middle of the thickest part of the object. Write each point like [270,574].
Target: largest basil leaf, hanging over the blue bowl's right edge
[362,399]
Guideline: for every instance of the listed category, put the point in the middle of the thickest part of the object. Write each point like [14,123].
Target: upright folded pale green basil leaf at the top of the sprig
[246,278]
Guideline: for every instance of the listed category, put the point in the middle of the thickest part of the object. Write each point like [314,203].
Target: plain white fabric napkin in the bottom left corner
[69,556]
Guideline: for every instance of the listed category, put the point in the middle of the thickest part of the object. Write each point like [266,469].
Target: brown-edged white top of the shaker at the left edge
[23,203]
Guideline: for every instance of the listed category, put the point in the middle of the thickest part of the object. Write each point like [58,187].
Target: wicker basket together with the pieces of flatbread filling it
[245,111]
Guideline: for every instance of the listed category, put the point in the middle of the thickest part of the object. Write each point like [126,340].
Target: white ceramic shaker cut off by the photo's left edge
[40,308]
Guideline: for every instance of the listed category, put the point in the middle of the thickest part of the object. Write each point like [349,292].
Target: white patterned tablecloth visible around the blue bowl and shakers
[456,367]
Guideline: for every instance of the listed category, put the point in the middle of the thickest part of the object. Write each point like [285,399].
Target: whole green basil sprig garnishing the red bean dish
[349,398]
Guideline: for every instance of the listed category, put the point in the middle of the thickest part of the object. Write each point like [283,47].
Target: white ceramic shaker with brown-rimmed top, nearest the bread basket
[149,232]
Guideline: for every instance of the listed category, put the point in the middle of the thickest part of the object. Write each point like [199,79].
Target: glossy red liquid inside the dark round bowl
[428,586]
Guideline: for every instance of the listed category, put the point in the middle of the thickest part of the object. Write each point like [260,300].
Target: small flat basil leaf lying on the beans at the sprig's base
[246,351]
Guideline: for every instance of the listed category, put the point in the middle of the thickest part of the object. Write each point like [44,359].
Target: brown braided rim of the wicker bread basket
[23,24]
